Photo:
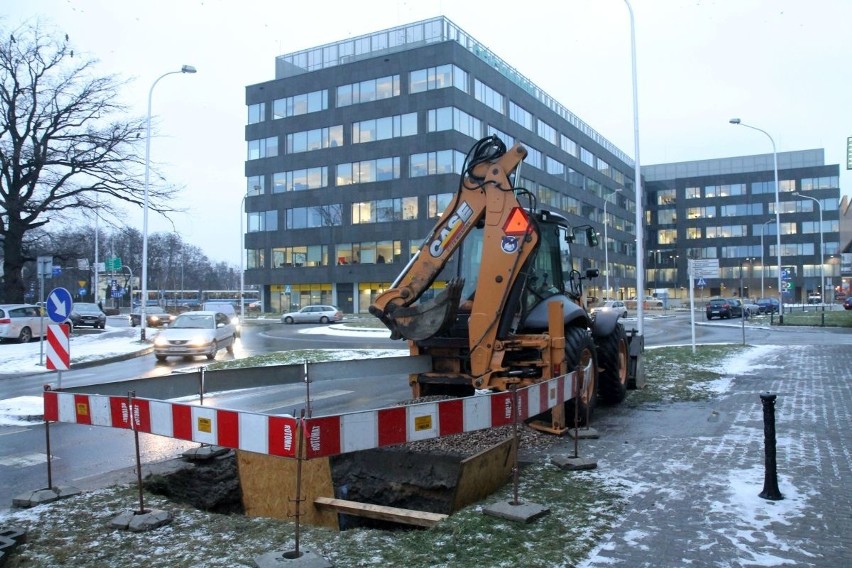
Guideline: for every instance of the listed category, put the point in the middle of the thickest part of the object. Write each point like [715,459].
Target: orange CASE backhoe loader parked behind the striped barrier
[493,297]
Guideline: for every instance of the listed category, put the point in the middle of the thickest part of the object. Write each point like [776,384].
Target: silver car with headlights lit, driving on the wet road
[196,333]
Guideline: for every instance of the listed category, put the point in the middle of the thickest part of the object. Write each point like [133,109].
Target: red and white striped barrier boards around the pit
[324,435]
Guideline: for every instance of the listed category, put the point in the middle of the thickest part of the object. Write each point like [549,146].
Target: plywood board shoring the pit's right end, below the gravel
[482,474]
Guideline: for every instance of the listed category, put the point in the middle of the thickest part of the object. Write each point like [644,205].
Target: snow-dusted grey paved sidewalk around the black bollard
[693,472]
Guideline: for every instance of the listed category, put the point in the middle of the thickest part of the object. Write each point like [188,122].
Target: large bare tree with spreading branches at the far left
[65,142]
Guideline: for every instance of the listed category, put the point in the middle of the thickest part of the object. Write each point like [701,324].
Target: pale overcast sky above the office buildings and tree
[780,65]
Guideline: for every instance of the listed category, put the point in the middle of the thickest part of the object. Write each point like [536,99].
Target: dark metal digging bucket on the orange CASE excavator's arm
[425,320]
